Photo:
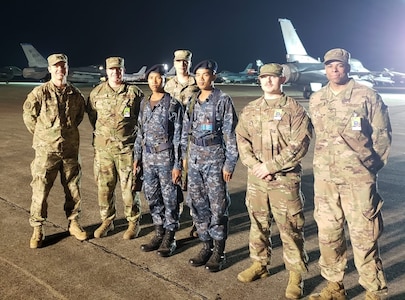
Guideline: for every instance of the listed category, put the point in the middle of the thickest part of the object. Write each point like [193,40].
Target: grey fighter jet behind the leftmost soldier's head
[38,68]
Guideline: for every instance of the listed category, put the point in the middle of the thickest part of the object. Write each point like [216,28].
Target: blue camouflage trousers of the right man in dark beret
[208,199]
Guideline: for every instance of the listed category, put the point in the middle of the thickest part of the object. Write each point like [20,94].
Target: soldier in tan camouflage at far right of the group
[353,139]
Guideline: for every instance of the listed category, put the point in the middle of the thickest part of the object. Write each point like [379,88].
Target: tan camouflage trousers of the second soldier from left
[109,167]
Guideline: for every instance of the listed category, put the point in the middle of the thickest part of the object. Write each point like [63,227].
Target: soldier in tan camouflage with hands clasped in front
[273,135]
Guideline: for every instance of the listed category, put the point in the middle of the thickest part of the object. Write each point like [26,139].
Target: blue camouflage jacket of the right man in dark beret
[219,110]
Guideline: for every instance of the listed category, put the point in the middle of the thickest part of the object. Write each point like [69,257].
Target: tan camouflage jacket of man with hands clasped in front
[275,132]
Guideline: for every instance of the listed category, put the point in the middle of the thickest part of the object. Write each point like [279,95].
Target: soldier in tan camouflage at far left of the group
[52,113]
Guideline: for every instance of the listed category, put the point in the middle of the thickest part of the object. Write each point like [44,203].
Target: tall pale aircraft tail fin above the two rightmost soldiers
[294,47]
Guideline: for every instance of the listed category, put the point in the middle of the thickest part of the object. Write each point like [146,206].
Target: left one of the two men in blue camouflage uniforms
[157,147]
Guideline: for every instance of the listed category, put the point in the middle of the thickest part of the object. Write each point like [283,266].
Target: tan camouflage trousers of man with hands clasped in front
[280,200]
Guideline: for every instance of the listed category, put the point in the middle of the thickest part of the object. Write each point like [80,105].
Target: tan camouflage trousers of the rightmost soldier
[359,204]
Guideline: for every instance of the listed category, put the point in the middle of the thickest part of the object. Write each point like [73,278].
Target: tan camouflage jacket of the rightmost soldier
[353,133]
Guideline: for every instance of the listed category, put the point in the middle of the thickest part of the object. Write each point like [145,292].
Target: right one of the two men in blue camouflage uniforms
[209,132]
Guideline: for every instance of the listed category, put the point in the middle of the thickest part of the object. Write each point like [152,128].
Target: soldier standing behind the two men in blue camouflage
[182,87]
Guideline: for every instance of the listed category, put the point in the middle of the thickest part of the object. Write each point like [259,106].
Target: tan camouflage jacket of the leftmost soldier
[53,117]
